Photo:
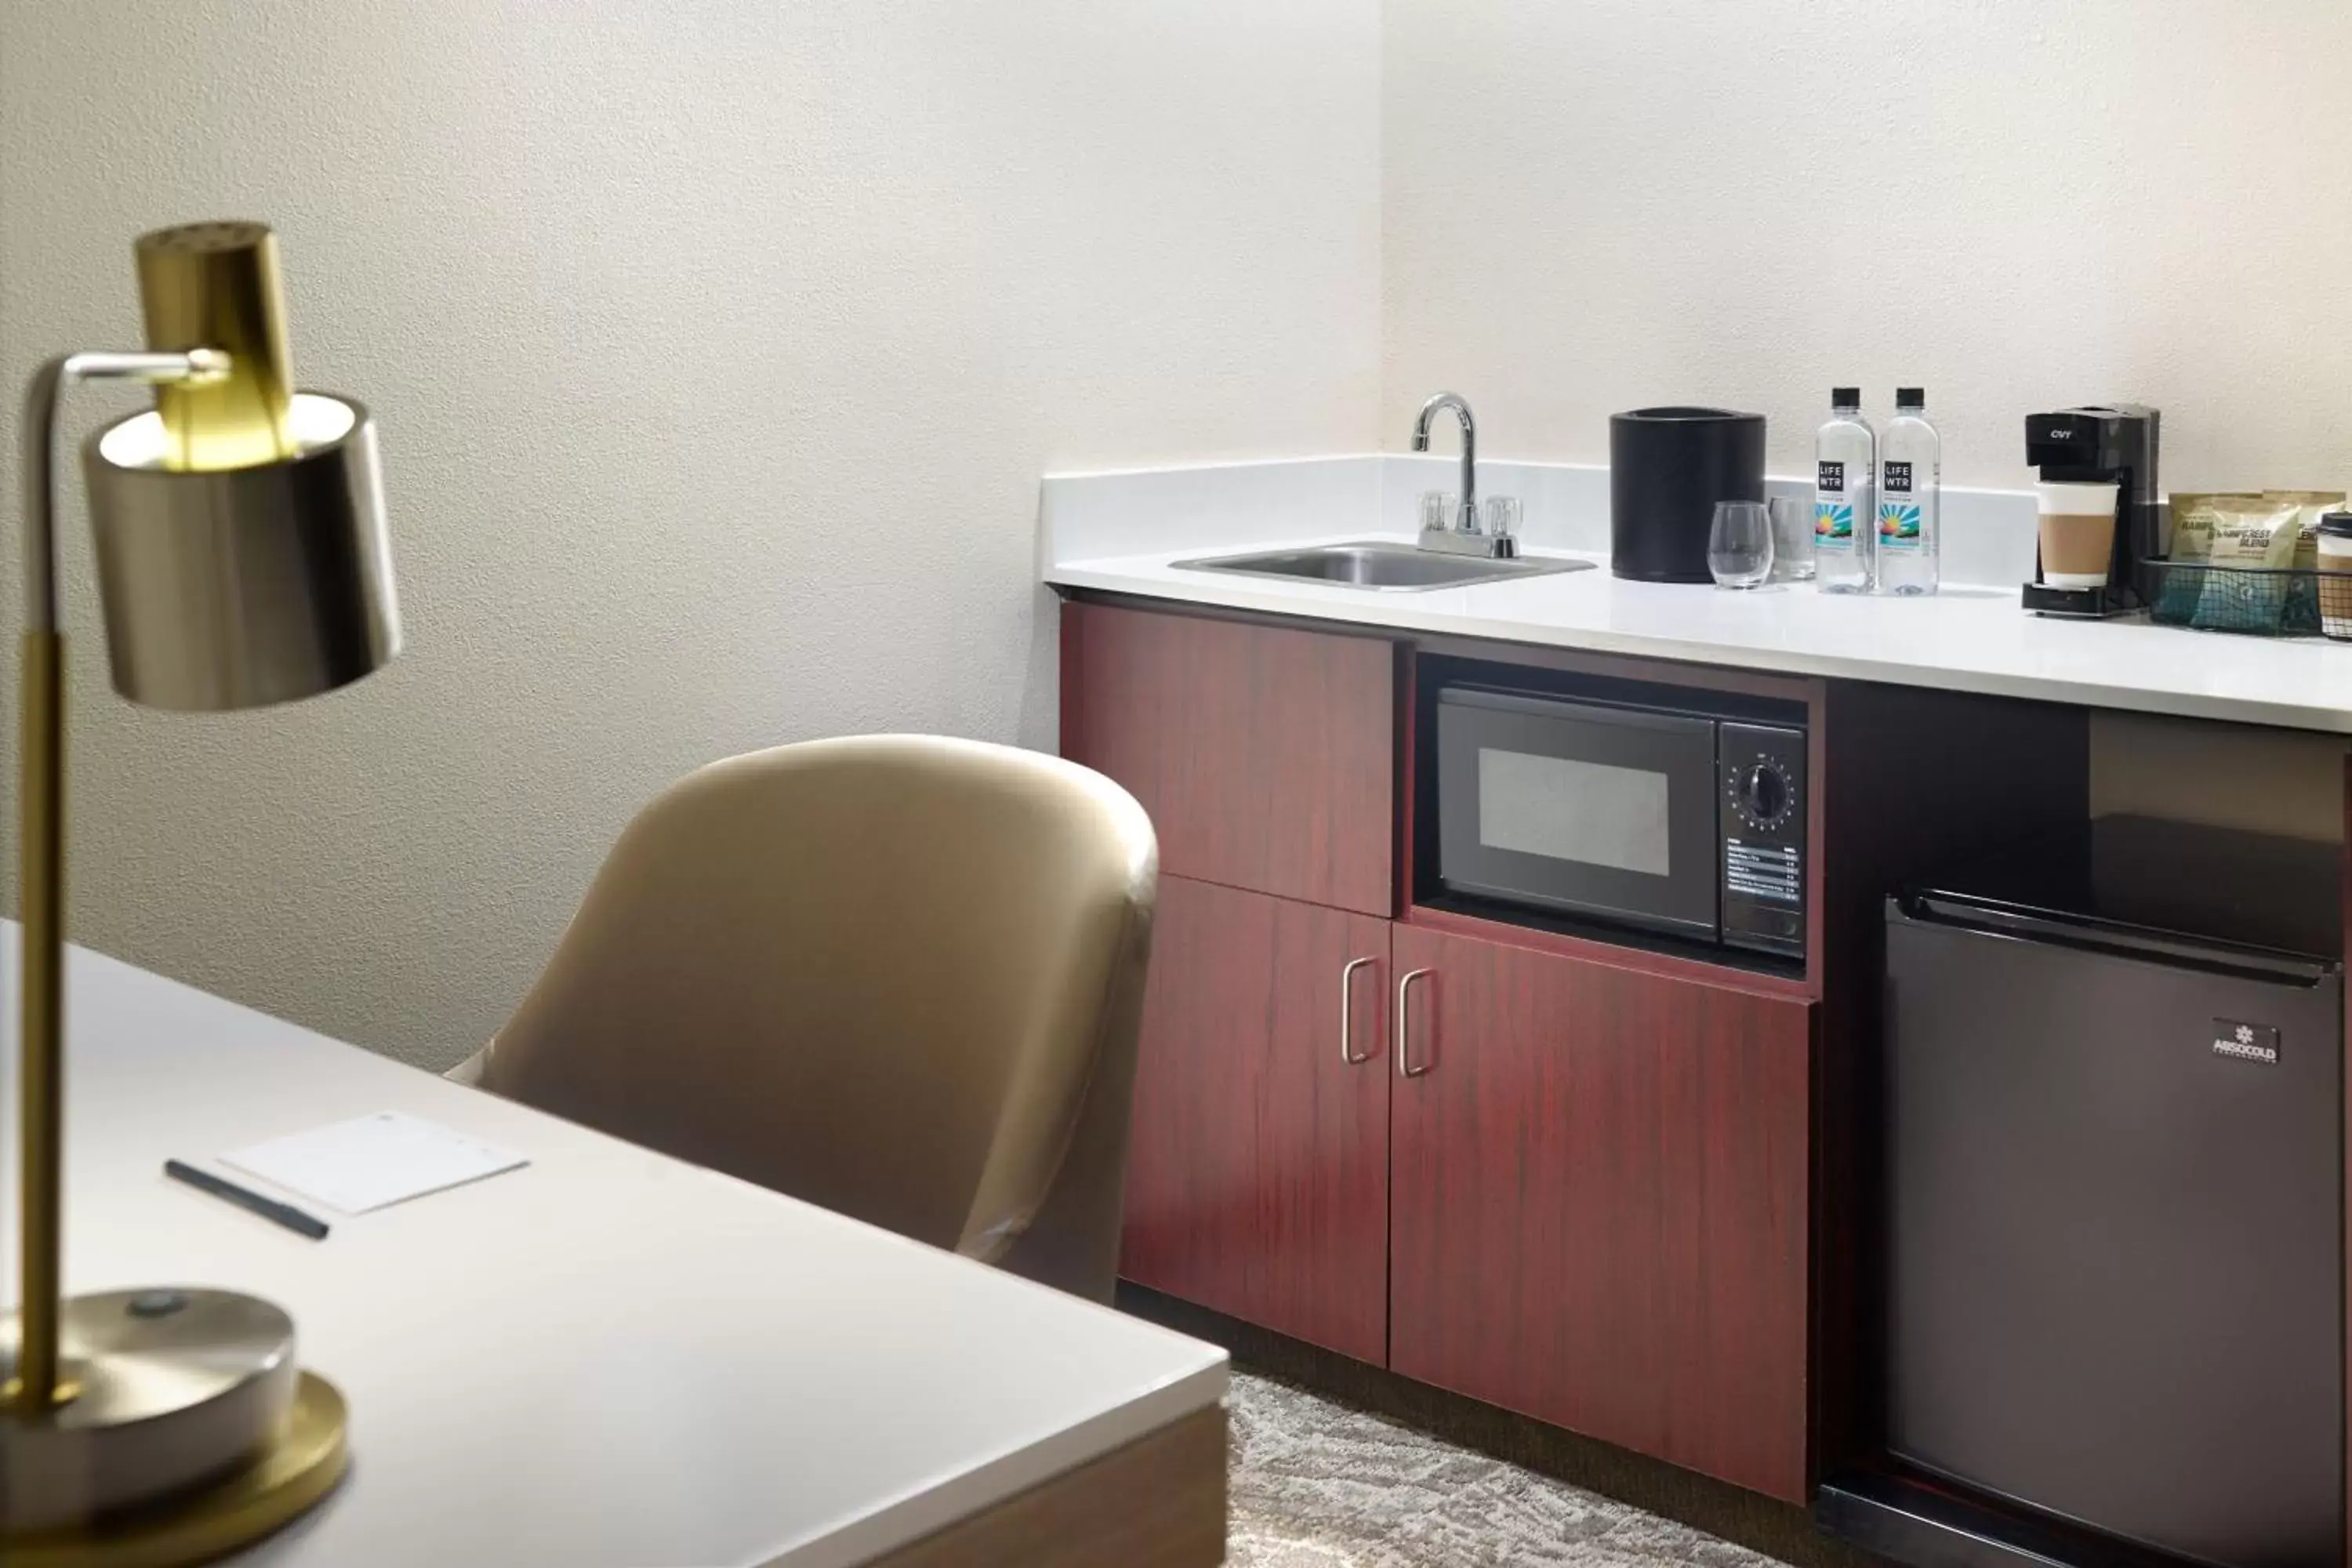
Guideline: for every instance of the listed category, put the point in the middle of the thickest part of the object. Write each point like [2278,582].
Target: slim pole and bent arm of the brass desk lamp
[41,800]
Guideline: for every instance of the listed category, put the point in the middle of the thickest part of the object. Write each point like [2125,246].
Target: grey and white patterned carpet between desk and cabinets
[1325,1487]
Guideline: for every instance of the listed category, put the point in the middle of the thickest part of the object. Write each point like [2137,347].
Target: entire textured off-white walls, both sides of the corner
[719,344]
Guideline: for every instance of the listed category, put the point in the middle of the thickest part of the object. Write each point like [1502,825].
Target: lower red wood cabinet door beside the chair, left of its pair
[1257,1179]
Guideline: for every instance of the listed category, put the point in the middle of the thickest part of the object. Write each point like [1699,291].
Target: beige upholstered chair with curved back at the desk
[895,974]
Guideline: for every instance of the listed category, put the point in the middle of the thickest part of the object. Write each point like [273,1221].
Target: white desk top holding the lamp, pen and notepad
[608,1358]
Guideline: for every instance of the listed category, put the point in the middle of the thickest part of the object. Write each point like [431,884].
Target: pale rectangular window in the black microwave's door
[1572,810]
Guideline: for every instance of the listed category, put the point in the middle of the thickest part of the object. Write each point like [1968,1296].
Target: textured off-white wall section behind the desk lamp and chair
[719,349]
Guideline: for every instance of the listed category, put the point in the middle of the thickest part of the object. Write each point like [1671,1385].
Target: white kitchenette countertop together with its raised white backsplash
[1123,532]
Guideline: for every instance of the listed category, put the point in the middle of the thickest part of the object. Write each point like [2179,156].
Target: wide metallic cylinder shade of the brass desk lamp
[243,587]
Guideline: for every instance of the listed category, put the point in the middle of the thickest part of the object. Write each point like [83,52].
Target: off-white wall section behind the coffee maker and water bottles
[2017,203]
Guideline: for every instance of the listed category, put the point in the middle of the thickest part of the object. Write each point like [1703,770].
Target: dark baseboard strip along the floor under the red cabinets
[1718,1508]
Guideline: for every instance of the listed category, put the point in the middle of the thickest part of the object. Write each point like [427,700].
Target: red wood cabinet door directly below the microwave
[1601,1205]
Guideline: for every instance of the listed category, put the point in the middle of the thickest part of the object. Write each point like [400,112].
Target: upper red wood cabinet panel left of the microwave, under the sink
[1264,756]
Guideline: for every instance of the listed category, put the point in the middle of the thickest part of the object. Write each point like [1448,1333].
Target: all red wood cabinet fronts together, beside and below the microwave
[1591,1198]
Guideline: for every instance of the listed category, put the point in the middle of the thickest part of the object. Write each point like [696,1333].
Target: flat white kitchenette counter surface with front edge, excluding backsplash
[1960,641]
